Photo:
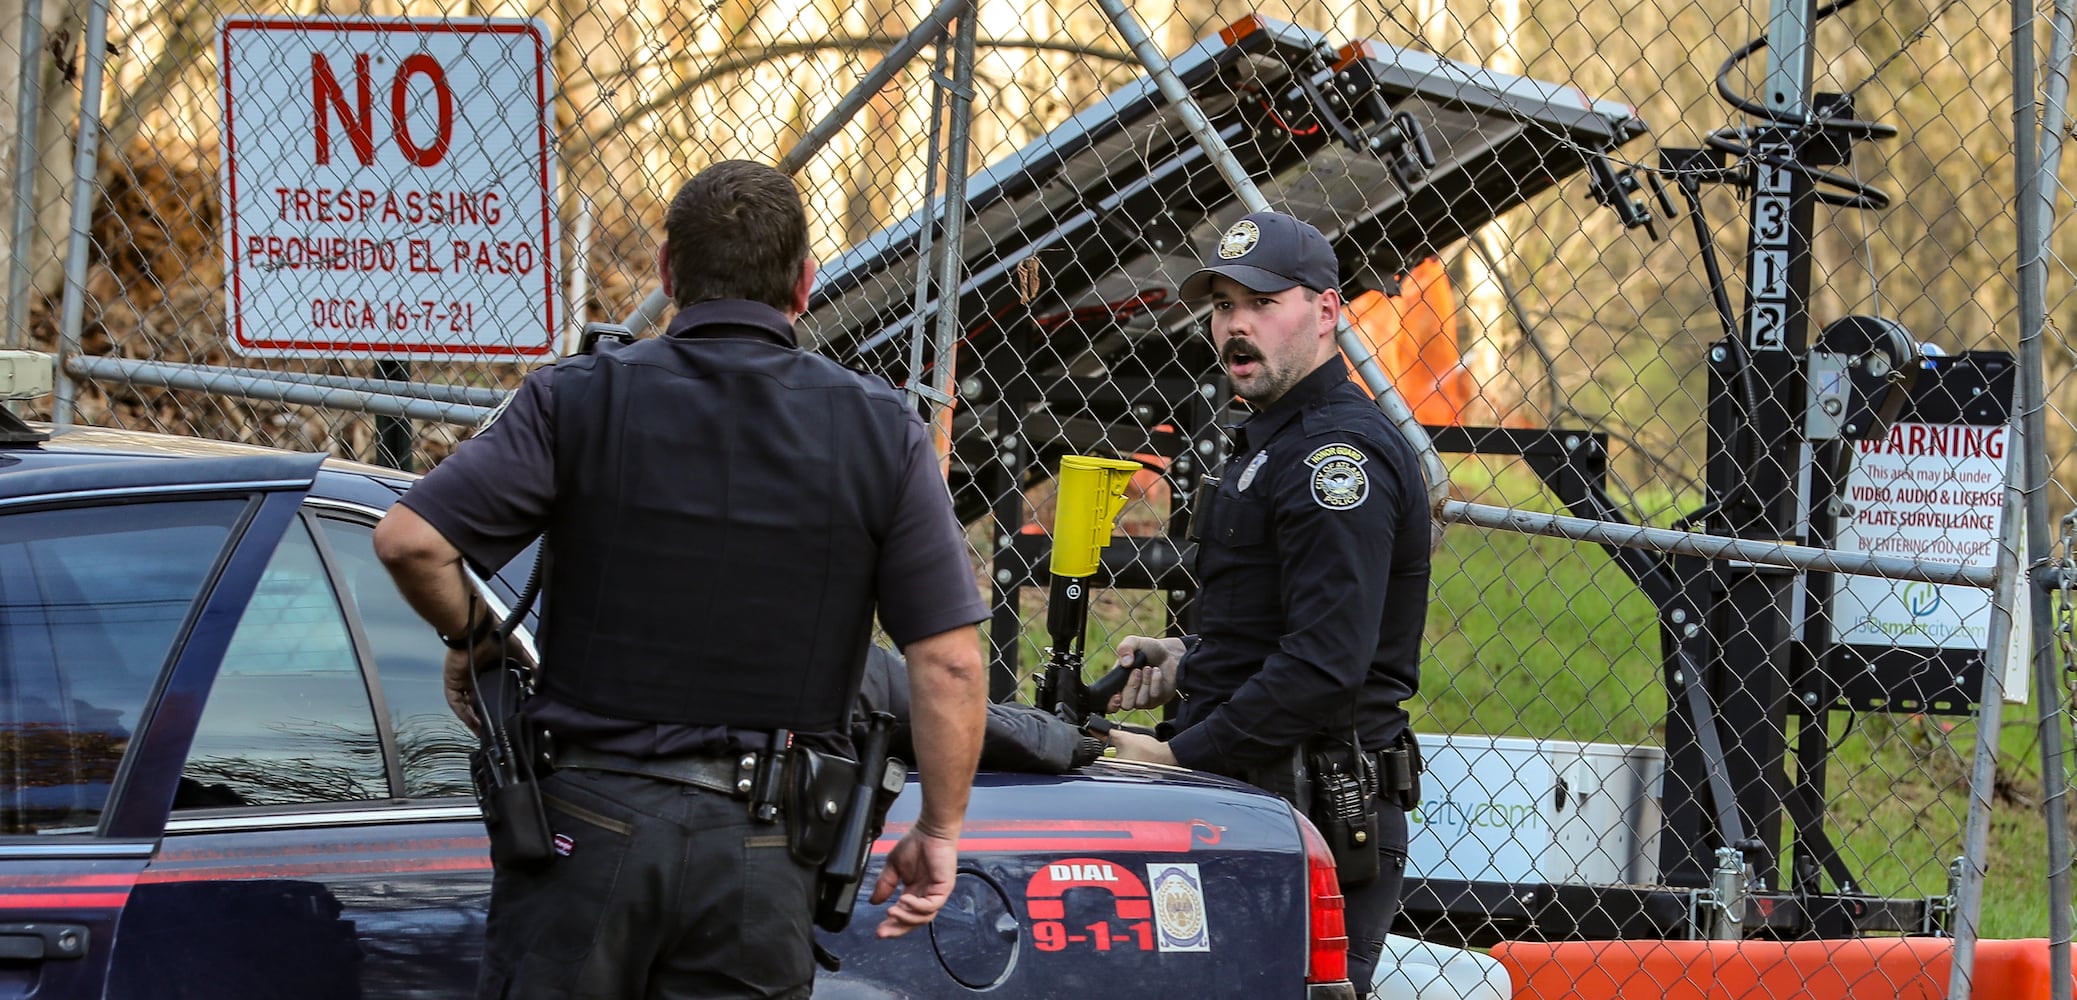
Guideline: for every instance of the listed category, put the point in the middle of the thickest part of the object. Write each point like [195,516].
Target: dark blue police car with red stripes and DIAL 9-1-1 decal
[227,770]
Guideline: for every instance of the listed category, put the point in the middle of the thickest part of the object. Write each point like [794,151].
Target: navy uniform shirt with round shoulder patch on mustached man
[1314,573]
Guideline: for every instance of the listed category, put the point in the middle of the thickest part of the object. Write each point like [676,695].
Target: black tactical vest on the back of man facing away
[720,512]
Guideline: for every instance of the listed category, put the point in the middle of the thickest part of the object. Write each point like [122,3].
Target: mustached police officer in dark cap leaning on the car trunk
[1314,560]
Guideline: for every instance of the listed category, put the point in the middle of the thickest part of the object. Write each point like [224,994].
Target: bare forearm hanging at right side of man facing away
[948,714]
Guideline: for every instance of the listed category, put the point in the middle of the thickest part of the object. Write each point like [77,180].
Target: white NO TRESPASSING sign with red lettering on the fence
[389,188]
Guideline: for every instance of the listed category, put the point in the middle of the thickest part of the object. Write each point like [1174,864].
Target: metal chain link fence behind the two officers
[1577,246]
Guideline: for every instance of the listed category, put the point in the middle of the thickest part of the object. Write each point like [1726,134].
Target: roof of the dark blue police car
[72,446]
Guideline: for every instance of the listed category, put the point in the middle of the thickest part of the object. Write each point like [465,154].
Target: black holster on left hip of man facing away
[504,772]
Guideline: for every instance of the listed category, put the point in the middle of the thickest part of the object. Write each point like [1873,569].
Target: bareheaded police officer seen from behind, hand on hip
[724,515]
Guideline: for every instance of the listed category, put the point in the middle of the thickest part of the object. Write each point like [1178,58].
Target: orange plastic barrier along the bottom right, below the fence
[1835,970]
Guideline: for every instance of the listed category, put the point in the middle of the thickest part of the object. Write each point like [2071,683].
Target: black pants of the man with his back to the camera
[668,893]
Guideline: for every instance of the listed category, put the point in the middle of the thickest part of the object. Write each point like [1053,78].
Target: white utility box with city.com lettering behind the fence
[1538,812]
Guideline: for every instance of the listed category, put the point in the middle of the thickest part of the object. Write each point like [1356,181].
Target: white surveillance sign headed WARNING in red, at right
[1933,494]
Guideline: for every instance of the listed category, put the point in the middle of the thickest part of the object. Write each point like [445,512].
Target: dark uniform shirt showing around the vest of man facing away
[491,498]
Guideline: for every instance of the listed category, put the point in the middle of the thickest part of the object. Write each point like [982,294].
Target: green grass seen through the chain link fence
[1548,639]
